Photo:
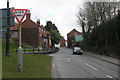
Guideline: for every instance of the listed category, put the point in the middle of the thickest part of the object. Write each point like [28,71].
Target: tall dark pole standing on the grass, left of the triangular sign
[8,30]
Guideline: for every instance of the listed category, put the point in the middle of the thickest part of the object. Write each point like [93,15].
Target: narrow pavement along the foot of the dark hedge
[109,59]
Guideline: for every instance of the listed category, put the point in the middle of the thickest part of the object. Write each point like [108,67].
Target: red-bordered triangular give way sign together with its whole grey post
[19,14]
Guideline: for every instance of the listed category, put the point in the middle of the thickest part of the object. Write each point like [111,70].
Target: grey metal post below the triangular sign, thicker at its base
[20,51]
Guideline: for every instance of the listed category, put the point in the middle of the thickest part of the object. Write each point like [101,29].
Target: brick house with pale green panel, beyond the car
[73,38]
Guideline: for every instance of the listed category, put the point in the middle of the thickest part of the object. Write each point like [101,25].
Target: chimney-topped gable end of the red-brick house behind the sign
[30,32]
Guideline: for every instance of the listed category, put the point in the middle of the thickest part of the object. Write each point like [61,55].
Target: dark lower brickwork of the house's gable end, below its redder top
[30,36]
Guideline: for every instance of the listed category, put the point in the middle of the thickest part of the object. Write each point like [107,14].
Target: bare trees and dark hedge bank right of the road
[99,22]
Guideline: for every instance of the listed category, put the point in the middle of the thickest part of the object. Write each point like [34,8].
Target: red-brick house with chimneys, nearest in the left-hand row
[34,34]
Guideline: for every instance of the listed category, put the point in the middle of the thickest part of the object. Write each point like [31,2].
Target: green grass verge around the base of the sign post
[34,66]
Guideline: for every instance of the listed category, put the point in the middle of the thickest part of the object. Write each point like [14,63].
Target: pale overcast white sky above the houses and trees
[62,13]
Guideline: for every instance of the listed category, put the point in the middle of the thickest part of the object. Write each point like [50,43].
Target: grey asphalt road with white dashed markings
[67,65]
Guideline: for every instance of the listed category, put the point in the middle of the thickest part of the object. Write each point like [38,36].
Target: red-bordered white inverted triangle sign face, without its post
[19,14]
